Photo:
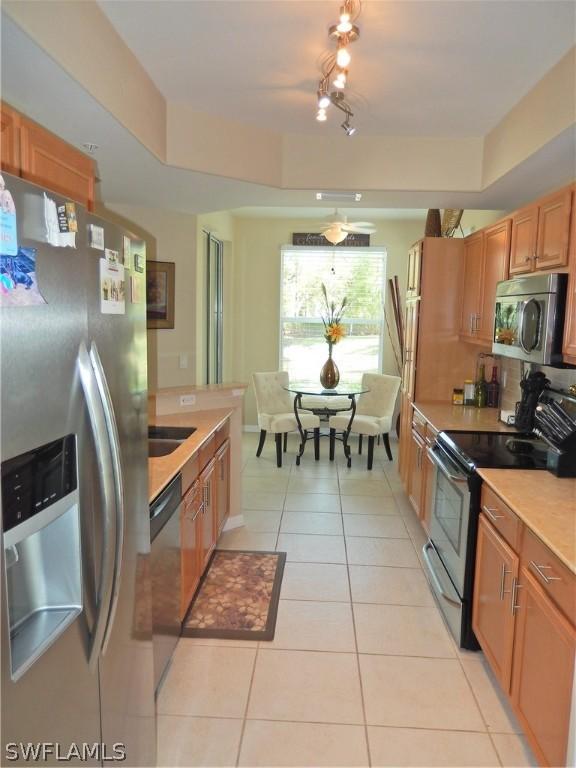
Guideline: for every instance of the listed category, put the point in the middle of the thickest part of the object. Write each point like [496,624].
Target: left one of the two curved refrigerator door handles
[105,474]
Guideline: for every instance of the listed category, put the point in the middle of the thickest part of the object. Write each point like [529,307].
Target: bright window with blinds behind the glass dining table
[357,273]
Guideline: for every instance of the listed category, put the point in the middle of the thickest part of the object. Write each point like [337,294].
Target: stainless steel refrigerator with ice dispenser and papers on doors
[77,663]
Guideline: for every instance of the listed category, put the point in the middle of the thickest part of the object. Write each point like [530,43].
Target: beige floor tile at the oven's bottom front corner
[403,630]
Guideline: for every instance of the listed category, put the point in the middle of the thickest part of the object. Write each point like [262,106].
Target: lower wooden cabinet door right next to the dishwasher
[191,544]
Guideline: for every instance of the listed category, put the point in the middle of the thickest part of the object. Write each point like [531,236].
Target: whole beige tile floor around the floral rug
[362,670]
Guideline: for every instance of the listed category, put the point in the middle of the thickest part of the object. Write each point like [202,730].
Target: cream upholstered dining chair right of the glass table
[373,415]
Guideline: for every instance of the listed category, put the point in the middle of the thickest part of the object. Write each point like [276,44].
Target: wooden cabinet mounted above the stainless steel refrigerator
[35,154]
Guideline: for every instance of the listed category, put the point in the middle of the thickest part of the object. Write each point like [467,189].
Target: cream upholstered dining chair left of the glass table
[276,412]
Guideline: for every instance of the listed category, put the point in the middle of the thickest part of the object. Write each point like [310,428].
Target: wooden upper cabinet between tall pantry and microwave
[485,264]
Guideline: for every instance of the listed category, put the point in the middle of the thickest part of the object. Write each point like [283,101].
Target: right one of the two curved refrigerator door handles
[114,442]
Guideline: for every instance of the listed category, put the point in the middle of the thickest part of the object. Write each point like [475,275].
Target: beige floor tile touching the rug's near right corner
[308,625]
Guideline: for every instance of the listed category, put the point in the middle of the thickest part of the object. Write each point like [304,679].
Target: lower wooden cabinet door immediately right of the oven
[492,608]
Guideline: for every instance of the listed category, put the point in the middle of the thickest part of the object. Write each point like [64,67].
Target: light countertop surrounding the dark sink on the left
[162,469]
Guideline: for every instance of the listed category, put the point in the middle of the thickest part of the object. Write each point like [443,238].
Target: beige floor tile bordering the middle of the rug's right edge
[315,581]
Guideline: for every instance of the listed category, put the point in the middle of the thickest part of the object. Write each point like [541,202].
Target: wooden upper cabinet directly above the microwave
[540,234]
